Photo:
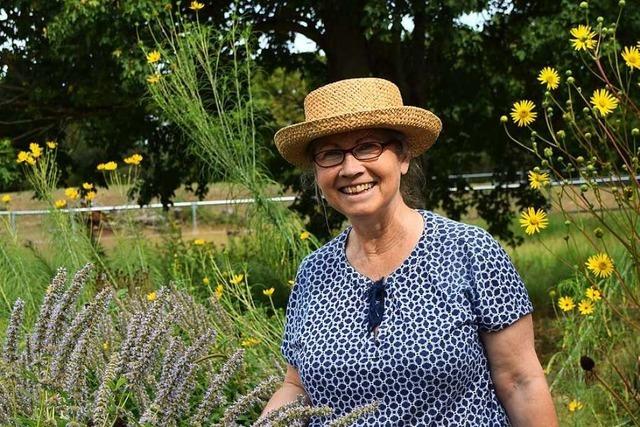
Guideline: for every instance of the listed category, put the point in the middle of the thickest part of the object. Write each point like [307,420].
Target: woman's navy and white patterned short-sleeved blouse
[426,365]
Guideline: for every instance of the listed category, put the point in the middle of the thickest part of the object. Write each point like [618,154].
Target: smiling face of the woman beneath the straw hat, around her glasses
[361,188]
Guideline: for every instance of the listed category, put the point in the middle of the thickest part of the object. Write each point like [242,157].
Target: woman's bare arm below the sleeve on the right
[517,375]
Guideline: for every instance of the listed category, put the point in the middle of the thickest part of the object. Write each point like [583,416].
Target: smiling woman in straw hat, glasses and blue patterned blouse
[425,315]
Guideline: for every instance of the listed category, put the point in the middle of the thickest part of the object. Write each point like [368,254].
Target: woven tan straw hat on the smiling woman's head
[356,104]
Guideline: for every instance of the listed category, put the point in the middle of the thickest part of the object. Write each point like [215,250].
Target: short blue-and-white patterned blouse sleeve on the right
[500,297]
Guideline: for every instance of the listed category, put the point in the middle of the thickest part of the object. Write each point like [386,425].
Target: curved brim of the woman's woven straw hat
[420,127]
